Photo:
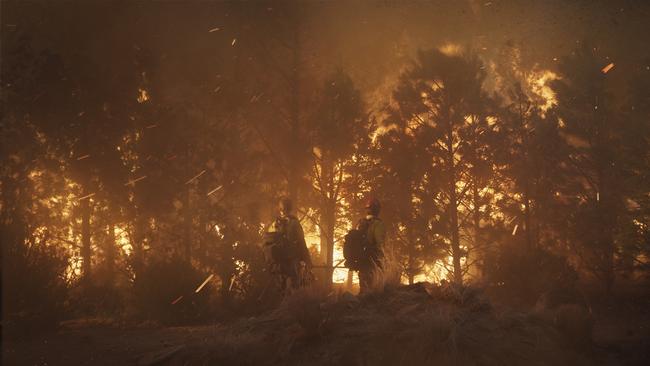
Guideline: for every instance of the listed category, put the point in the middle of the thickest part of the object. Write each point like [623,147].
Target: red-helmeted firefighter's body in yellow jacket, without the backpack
[375,234]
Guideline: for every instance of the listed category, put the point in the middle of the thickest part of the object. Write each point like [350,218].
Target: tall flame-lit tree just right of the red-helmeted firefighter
[439,99]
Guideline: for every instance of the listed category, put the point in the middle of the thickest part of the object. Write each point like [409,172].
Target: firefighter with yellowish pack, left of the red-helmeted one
[285,249]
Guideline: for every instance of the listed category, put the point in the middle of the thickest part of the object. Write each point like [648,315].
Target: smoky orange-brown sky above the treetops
[371,40]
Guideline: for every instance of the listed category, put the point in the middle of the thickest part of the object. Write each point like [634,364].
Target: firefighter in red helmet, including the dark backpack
[363,247]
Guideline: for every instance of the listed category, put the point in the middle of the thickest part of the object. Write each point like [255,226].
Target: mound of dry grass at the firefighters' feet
[394,325]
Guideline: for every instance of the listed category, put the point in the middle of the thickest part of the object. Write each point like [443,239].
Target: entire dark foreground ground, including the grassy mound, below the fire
[409,326]
